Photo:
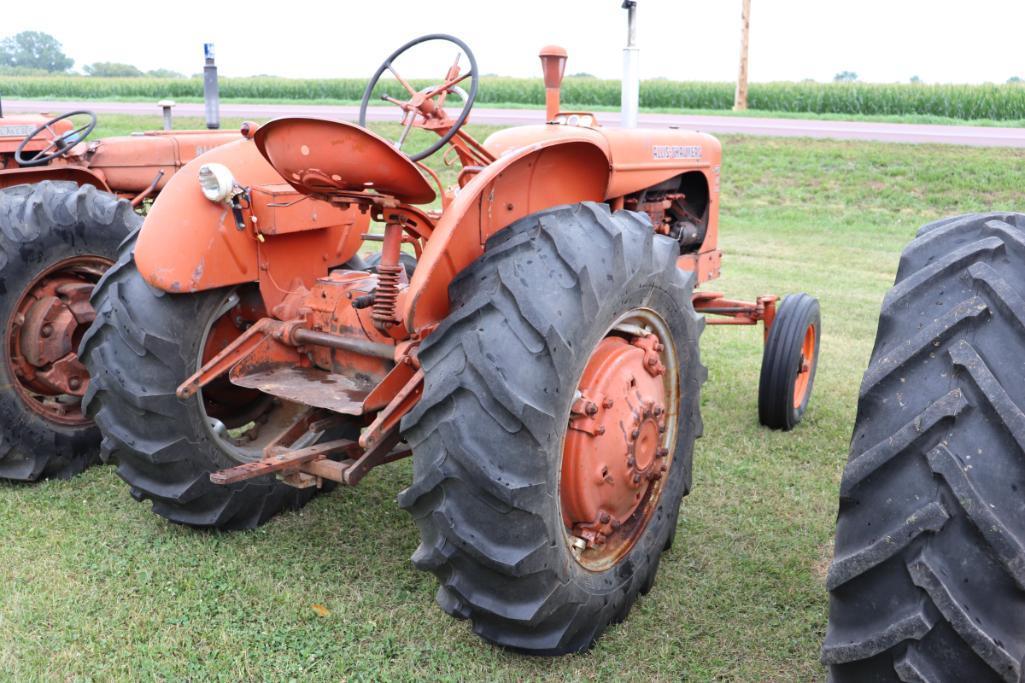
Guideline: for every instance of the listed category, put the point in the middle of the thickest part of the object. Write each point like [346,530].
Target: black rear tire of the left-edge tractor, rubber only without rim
[43,225]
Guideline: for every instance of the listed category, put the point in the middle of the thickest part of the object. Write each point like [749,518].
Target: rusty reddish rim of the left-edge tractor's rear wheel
[44,335]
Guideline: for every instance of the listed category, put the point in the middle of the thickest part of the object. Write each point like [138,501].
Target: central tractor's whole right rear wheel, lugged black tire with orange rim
[554,440]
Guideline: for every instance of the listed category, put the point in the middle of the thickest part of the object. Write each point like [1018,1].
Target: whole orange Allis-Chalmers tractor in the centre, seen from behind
[540,359]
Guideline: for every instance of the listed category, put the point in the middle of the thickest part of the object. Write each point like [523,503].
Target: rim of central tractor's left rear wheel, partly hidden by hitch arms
[241,422]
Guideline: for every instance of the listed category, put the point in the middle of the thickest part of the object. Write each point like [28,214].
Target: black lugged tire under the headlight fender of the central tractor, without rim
[137,354]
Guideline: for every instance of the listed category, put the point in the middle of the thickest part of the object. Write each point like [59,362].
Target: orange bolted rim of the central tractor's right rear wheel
[622,434]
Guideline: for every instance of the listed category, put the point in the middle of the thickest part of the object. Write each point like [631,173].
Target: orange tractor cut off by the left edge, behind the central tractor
[66,205]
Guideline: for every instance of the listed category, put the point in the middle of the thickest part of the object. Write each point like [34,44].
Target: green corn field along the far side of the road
[958,102]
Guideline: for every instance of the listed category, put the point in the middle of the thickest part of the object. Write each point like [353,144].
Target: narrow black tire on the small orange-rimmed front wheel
[782,361]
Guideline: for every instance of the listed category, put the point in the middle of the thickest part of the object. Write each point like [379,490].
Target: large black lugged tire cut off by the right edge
[928,582]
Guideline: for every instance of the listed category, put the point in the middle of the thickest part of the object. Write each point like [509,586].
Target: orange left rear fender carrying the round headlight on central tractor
[190,245]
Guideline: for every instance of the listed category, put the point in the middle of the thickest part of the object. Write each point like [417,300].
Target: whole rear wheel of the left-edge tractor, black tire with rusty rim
[57,239]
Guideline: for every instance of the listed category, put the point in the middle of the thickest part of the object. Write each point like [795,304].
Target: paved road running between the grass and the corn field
[887,133]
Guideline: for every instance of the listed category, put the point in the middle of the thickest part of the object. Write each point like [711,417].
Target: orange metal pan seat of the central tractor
[321,157]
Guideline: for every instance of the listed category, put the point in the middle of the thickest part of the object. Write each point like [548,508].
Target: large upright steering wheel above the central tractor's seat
[428,105]
